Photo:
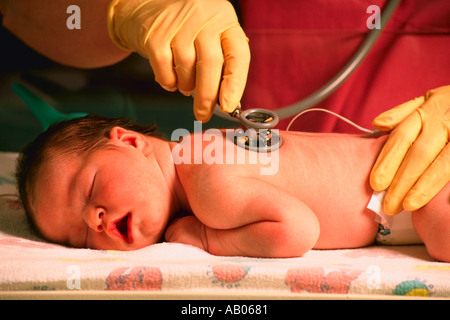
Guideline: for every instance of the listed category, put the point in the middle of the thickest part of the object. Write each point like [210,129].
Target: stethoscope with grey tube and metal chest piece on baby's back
[259,122]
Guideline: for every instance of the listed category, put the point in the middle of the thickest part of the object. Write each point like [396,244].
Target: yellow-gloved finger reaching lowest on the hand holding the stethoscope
[208,74]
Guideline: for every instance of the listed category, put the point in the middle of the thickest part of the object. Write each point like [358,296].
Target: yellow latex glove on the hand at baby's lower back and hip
[415,161]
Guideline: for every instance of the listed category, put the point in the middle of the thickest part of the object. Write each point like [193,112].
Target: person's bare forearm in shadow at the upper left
[42,26]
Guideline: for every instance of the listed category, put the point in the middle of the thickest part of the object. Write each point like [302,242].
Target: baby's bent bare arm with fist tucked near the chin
[247,217]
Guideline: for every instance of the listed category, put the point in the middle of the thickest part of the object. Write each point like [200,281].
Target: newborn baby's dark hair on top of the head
[75,137]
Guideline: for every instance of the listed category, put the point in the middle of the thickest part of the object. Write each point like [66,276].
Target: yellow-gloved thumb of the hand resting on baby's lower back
[391,118]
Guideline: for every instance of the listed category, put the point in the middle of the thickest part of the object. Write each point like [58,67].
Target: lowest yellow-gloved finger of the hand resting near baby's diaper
[433,180]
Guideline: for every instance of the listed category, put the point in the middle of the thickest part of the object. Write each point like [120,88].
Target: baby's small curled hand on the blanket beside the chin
[187,230]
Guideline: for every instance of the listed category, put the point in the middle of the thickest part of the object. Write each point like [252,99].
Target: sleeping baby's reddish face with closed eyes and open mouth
[113,198]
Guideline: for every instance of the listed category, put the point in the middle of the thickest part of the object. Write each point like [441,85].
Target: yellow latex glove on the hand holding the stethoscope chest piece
[193,45]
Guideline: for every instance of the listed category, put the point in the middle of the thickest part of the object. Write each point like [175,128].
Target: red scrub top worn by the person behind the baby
[297,46]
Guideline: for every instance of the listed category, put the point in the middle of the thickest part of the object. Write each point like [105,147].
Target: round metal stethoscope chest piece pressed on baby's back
[259,135]
